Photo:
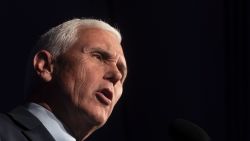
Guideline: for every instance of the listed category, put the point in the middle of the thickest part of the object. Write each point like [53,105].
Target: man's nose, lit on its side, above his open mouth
[113,74]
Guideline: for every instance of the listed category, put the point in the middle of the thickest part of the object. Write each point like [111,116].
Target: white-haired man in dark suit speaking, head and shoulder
[78,71]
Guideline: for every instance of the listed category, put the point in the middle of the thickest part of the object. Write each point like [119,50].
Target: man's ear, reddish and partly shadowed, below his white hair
[43,65]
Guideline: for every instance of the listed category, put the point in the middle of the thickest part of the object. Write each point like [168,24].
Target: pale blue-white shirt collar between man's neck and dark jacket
[51,122]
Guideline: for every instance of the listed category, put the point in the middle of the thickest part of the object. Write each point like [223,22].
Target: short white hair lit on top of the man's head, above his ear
[58,39]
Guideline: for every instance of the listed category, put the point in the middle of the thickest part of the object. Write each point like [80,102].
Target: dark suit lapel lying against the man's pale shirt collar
[31,127]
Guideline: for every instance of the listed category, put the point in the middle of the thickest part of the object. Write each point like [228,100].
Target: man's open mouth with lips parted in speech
[104,96]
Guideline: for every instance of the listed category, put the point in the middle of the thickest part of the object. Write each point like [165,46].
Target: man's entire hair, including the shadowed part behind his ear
[59,38]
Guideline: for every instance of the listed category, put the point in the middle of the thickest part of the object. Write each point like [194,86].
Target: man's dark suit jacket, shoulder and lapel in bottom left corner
[21,125]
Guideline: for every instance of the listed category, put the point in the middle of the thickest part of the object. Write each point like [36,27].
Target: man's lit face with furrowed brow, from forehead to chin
[91,75]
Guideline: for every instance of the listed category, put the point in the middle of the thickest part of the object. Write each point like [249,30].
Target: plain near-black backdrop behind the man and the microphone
[186,59]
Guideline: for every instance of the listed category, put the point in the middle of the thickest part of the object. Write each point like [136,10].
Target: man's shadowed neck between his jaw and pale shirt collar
[76,123]
